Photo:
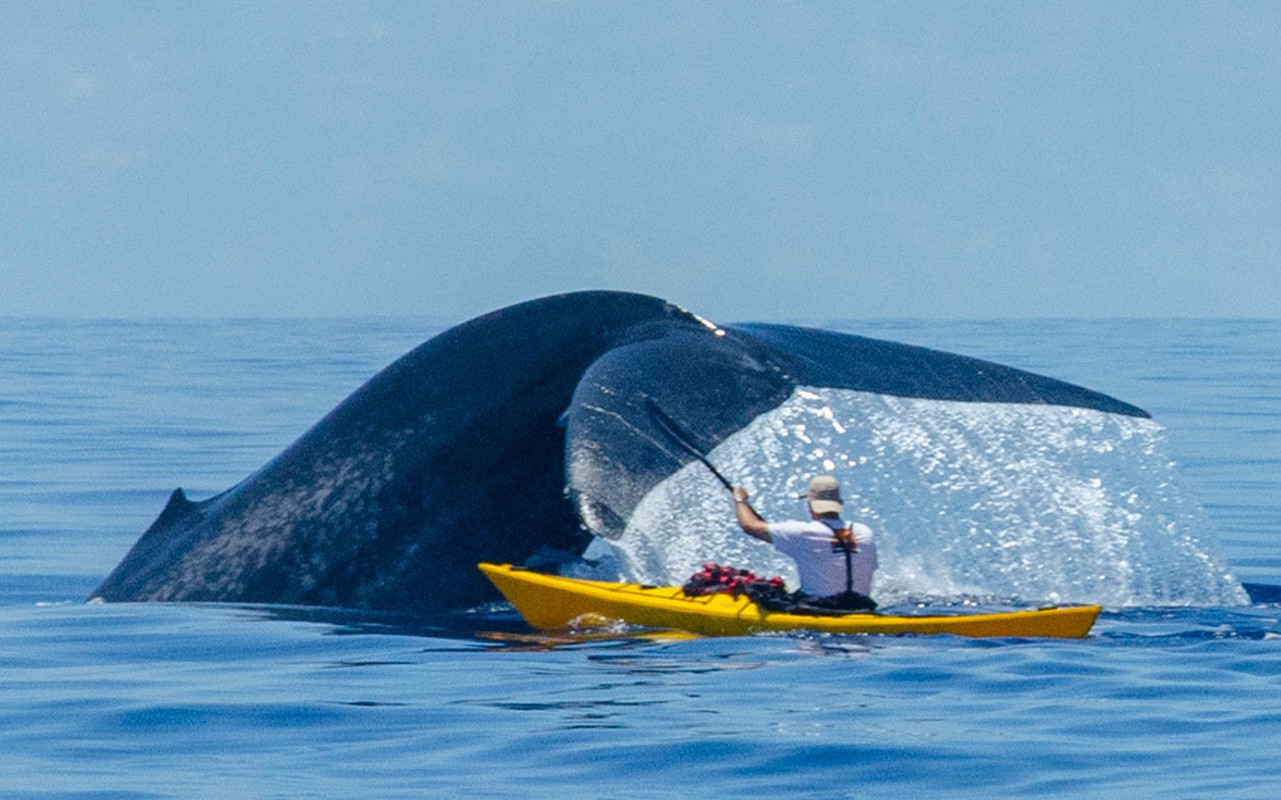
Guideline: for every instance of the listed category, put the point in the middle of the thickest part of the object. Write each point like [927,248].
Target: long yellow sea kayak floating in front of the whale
[551,602]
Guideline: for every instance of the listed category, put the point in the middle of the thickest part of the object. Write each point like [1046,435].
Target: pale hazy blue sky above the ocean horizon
[747,161]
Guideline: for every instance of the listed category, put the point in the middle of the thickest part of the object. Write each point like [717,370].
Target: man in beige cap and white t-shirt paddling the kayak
[835,559]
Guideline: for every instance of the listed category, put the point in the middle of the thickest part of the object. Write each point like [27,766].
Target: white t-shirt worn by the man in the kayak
[823,572]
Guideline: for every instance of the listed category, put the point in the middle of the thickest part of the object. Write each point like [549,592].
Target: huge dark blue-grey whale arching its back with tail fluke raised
[522,432]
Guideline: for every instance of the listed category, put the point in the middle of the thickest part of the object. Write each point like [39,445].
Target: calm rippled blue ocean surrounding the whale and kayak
[1173,694]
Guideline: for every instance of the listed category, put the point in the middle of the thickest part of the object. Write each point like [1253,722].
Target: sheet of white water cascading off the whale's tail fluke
[1006,501]
